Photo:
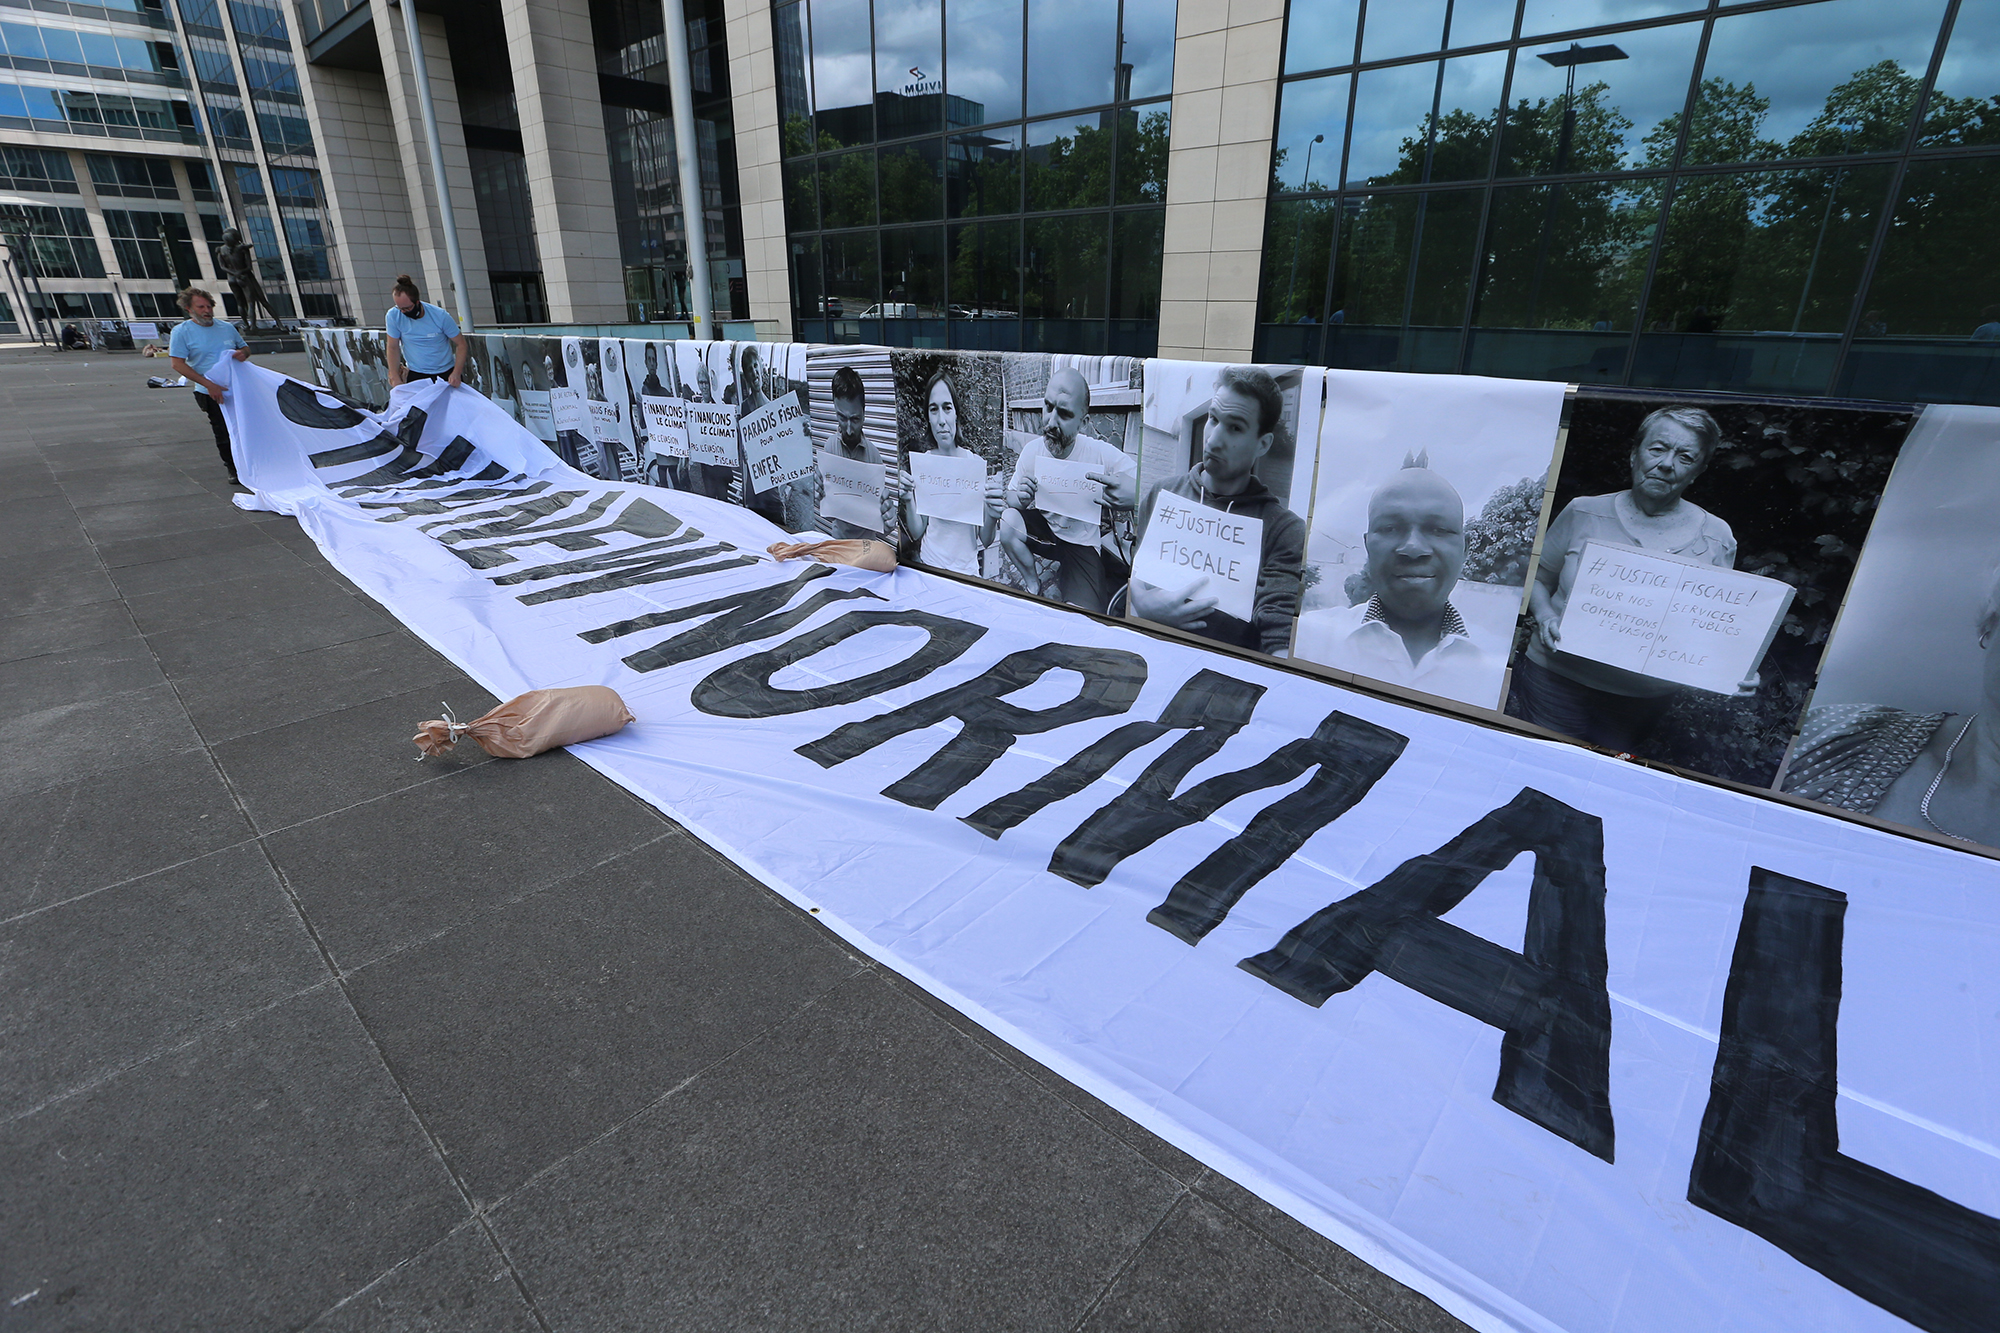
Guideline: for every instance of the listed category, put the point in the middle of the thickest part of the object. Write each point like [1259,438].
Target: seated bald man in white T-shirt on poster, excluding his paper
[1073,543]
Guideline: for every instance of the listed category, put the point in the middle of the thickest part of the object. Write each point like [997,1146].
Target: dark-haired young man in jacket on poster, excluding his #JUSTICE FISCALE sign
[1241,429]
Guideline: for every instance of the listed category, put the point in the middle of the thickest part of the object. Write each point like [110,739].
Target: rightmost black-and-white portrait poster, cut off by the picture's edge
[1905,722]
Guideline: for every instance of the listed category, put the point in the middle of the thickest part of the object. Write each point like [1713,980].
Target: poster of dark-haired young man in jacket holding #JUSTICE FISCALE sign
[1219,541]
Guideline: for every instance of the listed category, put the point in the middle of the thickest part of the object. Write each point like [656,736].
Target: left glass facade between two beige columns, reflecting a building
[977,173]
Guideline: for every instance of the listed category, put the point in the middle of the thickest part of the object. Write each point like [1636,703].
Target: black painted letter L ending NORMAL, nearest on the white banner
[1769,1158]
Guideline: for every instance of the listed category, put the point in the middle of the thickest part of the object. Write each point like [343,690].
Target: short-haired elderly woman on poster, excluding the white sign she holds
[1593,702]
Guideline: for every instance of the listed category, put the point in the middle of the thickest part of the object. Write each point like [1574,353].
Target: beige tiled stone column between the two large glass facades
[1227,61]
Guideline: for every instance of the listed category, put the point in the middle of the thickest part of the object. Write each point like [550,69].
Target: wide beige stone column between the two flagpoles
[569,167]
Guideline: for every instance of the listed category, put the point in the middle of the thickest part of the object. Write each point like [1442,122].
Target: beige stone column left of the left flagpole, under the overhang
[363,175]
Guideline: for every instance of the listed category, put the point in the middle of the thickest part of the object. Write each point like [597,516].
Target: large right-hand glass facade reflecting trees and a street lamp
[1749,197]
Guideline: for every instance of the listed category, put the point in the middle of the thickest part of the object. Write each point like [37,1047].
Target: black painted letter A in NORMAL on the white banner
[1549,1002]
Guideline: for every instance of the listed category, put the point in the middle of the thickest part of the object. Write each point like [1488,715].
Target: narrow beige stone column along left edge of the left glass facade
[759,165]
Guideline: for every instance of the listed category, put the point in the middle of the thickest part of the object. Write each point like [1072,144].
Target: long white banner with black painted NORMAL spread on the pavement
[1563,1042]
